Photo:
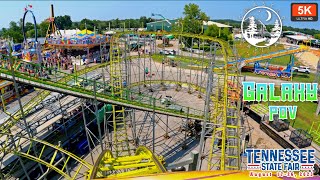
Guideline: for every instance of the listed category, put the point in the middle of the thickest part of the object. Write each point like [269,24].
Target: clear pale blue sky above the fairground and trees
[104,10]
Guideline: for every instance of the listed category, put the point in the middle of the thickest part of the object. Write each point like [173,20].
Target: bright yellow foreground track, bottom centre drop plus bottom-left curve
[143,162]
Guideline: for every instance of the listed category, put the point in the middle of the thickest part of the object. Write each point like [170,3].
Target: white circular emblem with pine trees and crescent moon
[254,26]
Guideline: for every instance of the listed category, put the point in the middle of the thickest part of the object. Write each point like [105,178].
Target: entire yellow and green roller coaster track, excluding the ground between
[220,118]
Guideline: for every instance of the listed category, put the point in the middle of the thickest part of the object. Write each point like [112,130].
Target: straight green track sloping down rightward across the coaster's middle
[140,101]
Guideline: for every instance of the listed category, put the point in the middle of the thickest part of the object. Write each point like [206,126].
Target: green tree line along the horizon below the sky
[191,22]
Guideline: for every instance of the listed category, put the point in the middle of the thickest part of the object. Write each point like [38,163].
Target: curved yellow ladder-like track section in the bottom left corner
[22,146]
